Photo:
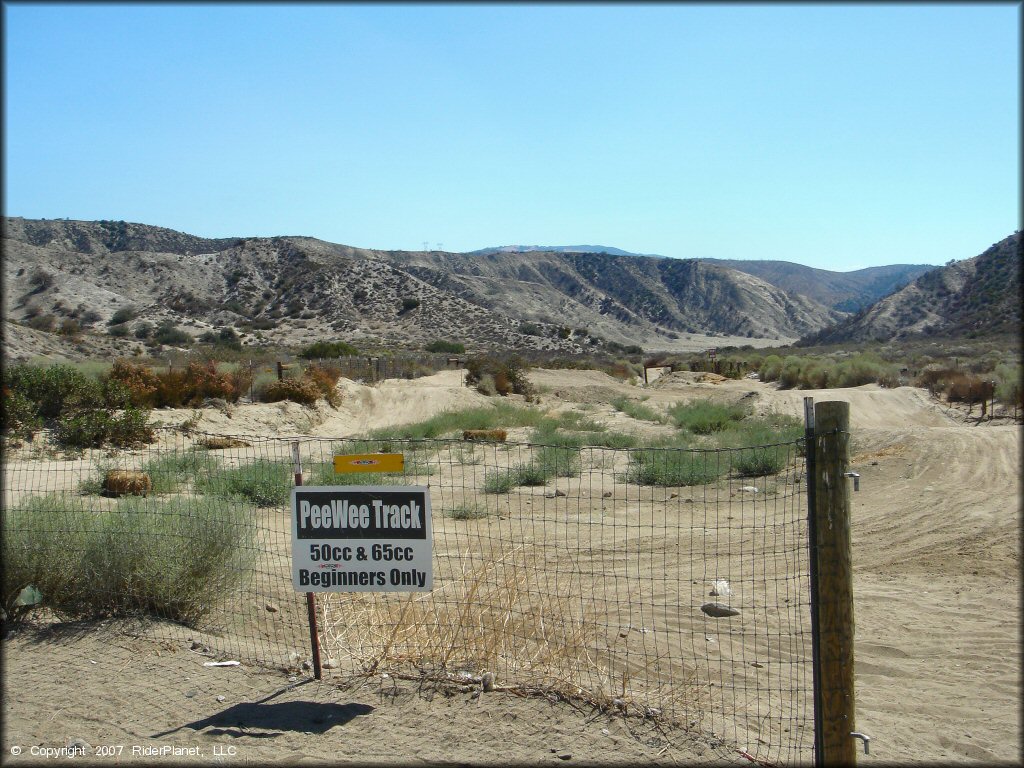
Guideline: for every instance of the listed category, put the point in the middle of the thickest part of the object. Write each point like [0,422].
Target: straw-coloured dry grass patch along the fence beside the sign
[494,626]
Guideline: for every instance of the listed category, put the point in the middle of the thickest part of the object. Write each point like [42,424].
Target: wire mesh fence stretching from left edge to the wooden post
[663,583]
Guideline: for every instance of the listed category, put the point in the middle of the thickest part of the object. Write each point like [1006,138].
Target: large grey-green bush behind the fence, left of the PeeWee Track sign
[173,560]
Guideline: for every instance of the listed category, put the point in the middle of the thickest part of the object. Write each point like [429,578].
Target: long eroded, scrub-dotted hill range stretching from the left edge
[84,275]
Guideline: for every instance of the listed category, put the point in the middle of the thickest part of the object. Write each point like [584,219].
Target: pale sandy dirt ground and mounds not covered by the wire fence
[936,548]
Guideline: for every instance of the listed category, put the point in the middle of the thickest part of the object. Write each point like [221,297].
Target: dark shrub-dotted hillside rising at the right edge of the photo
[975,297]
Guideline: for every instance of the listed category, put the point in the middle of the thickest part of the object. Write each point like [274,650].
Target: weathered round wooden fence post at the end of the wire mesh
[835,576]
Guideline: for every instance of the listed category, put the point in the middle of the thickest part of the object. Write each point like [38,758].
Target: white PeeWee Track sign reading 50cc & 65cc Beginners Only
[362,539]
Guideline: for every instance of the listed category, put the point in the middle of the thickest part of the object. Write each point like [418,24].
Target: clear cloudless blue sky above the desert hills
[838,137]
